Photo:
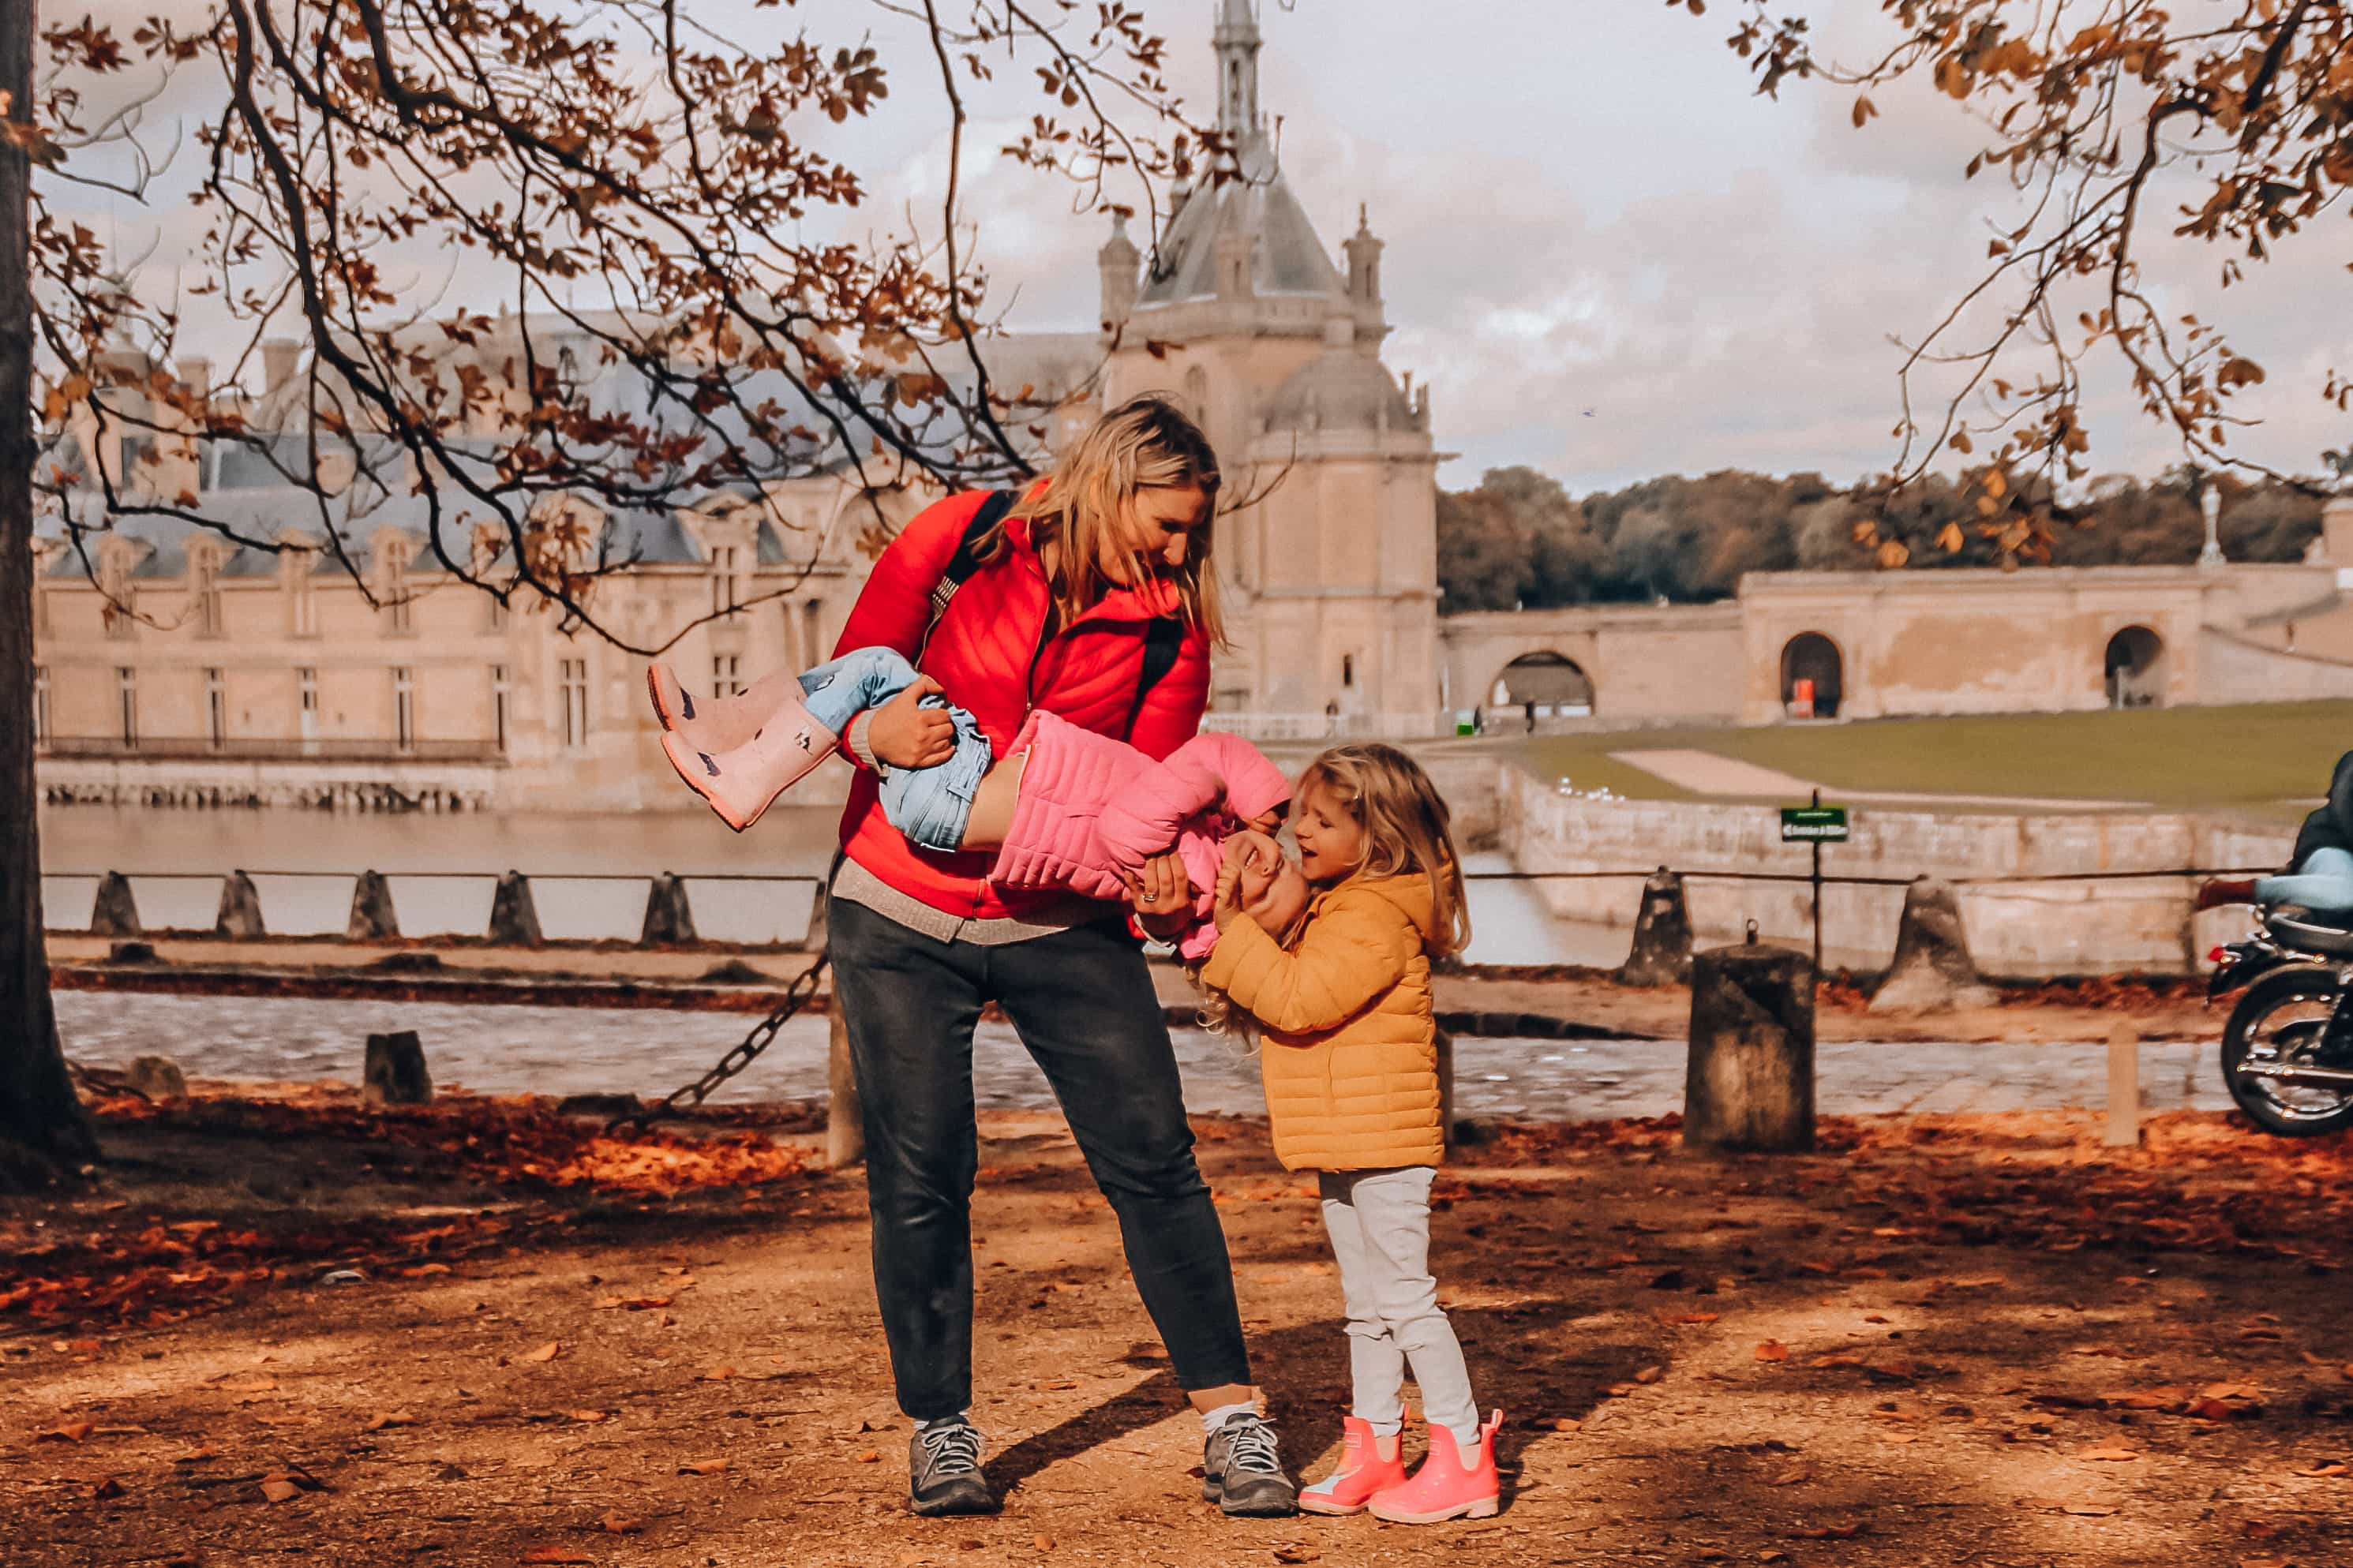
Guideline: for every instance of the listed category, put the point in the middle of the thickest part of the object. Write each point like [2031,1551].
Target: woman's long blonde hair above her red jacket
[1147,443]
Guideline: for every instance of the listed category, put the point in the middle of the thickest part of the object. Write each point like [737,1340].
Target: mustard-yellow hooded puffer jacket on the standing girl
[1352,1036]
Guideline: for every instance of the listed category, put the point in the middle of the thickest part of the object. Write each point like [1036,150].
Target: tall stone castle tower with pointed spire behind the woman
[1331,572]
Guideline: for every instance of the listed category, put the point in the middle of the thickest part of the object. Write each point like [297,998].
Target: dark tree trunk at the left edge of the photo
[39,1111]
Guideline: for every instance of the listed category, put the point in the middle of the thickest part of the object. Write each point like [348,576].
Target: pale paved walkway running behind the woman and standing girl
[516,1050]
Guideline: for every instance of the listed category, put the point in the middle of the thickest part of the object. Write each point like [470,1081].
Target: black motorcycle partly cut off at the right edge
[2288,1047]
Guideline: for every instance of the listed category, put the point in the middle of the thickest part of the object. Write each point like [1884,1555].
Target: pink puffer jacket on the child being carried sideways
[1095,808]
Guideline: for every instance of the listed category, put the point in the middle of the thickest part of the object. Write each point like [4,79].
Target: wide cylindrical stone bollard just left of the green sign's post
[1749,1085]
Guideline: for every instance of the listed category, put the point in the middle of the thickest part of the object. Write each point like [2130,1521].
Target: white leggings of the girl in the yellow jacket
[1380,1228]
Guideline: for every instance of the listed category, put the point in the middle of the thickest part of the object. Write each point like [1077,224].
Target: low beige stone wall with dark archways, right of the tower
[1924,643]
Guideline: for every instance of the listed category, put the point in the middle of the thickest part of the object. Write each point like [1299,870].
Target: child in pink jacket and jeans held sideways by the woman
[1065,808]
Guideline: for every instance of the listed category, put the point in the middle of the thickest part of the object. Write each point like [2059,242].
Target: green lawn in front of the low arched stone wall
[2267,760]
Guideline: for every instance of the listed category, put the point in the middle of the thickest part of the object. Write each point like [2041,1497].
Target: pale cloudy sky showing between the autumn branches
[1606,255]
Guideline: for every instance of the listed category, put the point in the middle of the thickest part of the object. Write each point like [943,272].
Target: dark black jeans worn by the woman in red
[1084,1005]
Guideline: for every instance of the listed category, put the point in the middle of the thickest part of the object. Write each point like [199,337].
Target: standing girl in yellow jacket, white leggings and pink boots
[1342,1003]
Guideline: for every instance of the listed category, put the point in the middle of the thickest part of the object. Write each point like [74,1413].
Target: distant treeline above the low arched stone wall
[1524,542]
